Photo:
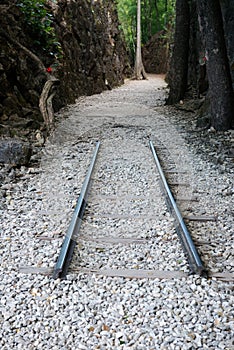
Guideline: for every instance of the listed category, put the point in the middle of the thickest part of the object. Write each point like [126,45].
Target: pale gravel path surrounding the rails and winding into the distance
[126,226]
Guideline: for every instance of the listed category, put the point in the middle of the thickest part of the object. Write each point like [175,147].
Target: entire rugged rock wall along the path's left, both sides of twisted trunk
[93,58]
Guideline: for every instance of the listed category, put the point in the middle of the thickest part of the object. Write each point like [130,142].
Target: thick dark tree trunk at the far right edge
[218,71]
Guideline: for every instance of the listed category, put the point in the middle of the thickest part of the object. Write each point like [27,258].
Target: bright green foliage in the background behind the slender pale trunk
[156,15]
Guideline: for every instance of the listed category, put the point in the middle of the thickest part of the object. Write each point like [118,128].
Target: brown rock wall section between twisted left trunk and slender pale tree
[94,57]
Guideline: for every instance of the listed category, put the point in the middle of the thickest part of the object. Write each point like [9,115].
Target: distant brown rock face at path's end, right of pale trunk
[155,54]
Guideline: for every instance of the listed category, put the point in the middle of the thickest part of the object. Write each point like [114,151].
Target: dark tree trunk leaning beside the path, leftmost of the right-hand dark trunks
[179,62]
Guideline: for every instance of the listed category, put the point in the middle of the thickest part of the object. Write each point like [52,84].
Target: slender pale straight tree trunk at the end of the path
[139,68]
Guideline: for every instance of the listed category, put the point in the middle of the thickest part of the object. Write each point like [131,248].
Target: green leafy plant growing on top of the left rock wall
[40,23]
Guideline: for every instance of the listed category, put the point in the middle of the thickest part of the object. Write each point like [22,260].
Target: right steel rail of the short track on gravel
[194,259]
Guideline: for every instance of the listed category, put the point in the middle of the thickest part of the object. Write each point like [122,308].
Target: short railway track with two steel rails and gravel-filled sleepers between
[128,221]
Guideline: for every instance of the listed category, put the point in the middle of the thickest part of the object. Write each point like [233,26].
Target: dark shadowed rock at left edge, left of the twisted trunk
[21,77]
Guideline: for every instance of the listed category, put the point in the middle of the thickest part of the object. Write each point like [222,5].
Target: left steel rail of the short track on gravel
[65,256]
